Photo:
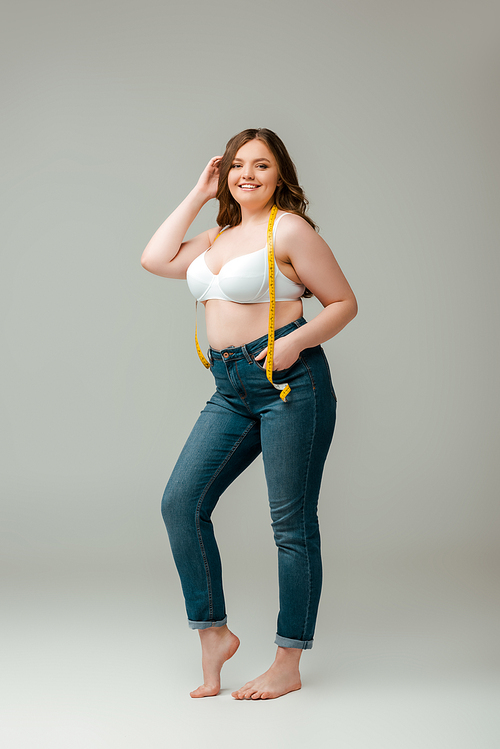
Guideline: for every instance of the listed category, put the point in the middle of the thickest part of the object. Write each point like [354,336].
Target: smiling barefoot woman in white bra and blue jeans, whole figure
[246,415]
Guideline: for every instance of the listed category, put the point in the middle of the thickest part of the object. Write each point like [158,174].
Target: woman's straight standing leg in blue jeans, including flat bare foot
[295,438]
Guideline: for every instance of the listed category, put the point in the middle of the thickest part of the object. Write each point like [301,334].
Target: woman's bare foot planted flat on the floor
[281,678]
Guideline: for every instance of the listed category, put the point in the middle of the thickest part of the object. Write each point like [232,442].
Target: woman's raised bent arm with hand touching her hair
[166,253]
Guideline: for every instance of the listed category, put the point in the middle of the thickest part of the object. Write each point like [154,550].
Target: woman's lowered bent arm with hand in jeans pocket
[315,265]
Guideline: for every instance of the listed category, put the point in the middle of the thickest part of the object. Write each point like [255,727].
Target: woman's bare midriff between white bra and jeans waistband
[234,324]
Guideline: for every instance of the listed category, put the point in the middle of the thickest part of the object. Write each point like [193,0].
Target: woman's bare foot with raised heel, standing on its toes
[218,644]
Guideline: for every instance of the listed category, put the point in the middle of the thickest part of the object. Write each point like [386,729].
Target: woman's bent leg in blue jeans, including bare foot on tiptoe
[221,445]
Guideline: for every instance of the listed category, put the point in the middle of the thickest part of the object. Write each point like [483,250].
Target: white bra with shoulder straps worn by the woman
[243,279]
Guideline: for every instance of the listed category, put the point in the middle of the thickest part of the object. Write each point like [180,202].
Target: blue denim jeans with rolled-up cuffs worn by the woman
[245,416]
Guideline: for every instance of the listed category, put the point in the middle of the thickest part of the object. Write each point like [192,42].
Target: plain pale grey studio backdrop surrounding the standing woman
[391,113]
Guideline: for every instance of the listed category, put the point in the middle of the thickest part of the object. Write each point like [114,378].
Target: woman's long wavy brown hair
[289,196]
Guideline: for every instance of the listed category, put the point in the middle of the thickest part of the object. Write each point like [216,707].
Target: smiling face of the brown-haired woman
[254,175]
